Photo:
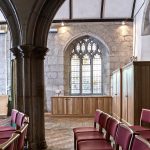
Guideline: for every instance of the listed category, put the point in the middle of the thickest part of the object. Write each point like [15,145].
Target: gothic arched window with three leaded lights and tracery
[86,75]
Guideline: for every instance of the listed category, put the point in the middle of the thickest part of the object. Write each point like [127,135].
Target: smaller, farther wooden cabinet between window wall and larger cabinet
[116,90]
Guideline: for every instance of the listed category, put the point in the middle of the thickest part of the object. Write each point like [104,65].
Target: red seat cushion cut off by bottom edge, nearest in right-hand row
[94,145]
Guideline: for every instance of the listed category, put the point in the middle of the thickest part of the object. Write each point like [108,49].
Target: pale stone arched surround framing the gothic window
[105,61]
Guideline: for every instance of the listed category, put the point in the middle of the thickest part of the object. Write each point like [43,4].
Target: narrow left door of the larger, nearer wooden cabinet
[124,95]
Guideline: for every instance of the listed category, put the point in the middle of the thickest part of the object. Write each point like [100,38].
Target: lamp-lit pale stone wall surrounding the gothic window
[118,39]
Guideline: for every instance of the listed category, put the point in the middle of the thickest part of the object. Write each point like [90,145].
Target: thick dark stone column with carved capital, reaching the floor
[34,94]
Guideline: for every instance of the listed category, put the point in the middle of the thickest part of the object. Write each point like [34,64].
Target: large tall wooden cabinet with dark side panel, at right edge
[135,90]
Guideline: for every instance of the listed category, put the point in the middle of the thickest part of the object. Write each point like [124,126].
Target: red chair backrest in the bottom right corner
[140,143]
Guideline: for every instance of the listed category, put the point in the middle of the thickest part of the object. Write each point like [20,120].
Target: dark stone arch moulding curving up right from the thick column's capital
[44,20]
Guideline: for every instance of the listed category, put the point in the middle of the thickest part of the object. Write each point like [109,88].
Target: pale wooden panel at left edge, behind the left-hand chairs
[3,105]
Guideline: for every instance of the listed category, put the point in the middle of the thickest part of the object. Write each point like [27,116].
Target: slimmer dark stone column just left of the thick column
[19,102]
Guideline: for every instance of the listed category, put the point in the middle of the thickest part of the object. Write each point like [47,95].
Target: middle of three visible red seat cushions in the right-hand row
[89,136]
